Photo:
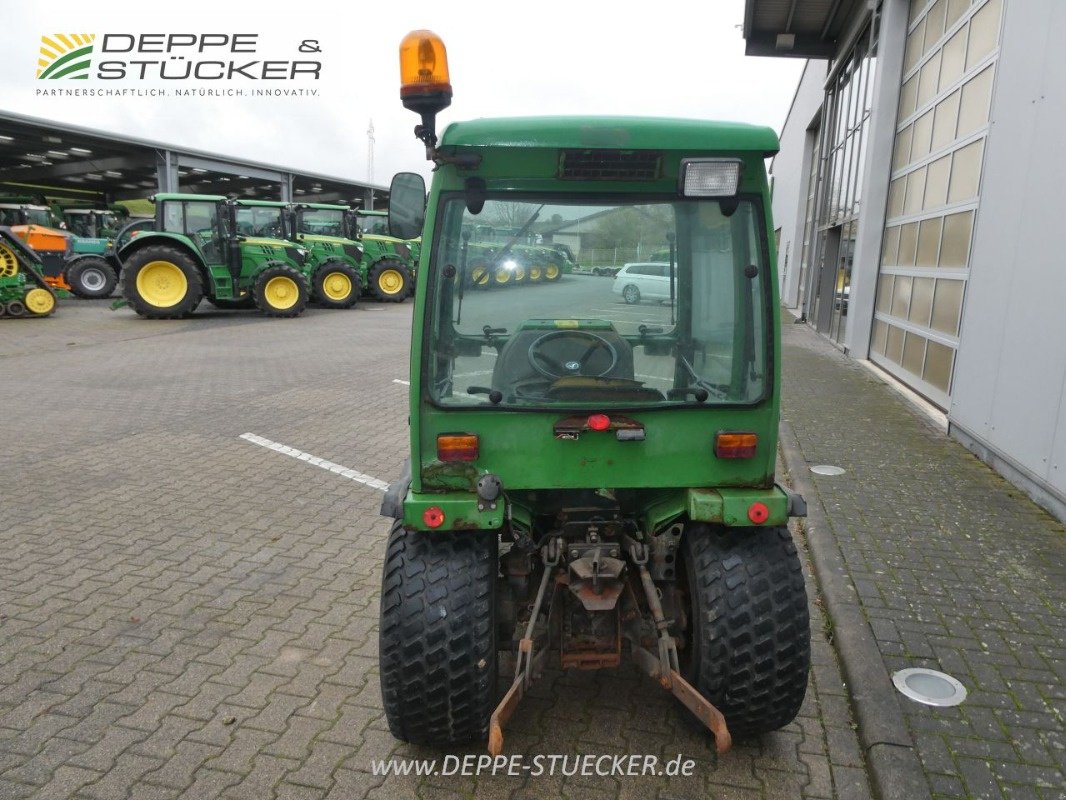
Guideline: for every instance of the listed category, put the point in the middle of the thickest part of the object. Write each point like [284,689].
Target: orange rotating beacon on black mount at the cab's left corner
[425,85]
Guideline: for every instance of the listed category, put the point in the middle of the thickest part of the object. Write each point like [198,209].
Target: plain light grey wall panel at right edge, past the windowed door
[1009,396]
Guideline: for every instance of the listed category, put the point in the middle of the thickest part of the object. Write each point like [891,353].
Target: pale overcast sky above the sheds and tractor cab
[548,57]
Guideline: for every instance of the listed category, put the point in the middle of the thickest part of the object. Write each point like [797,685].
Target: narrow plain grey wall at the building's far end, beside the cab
[792,172]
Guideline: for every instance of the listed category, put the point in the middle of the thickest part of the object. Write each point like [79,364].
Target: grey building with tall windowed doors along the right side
[918,195]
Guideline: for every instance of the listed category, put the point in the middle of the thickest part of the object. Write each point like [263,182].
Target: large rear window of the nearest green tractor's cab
[515,325]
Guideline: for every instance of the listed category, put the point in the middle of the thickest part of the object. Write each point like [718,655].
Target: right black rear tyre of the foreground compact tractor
[748,647]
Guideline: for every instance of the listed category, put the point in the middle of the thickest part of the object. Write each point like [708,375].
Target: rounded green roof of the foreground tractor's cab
[612,133]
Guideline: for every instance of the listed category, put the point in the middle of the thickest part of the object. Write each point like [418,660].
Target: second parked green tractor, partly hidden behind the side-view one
[332,268]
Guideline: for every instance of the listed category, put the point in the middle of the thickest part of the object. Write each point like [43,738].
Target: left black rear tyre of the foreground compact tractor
[438,642]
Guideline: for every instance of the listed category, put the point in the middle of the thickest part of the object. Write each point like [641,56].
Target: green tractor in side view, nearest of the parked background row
[197,252]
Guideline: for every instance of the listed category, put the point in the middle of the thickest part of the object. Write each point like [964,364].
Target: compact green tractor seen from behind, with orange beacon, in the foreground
[589,481]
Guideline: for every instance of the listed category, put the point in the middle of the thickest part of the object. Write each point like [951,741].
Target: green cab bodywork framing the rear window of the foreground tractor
[520,447]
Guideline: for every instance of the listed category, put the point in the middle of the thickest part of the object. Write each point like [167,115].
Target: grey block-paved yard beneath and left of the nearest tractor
[185,613]
